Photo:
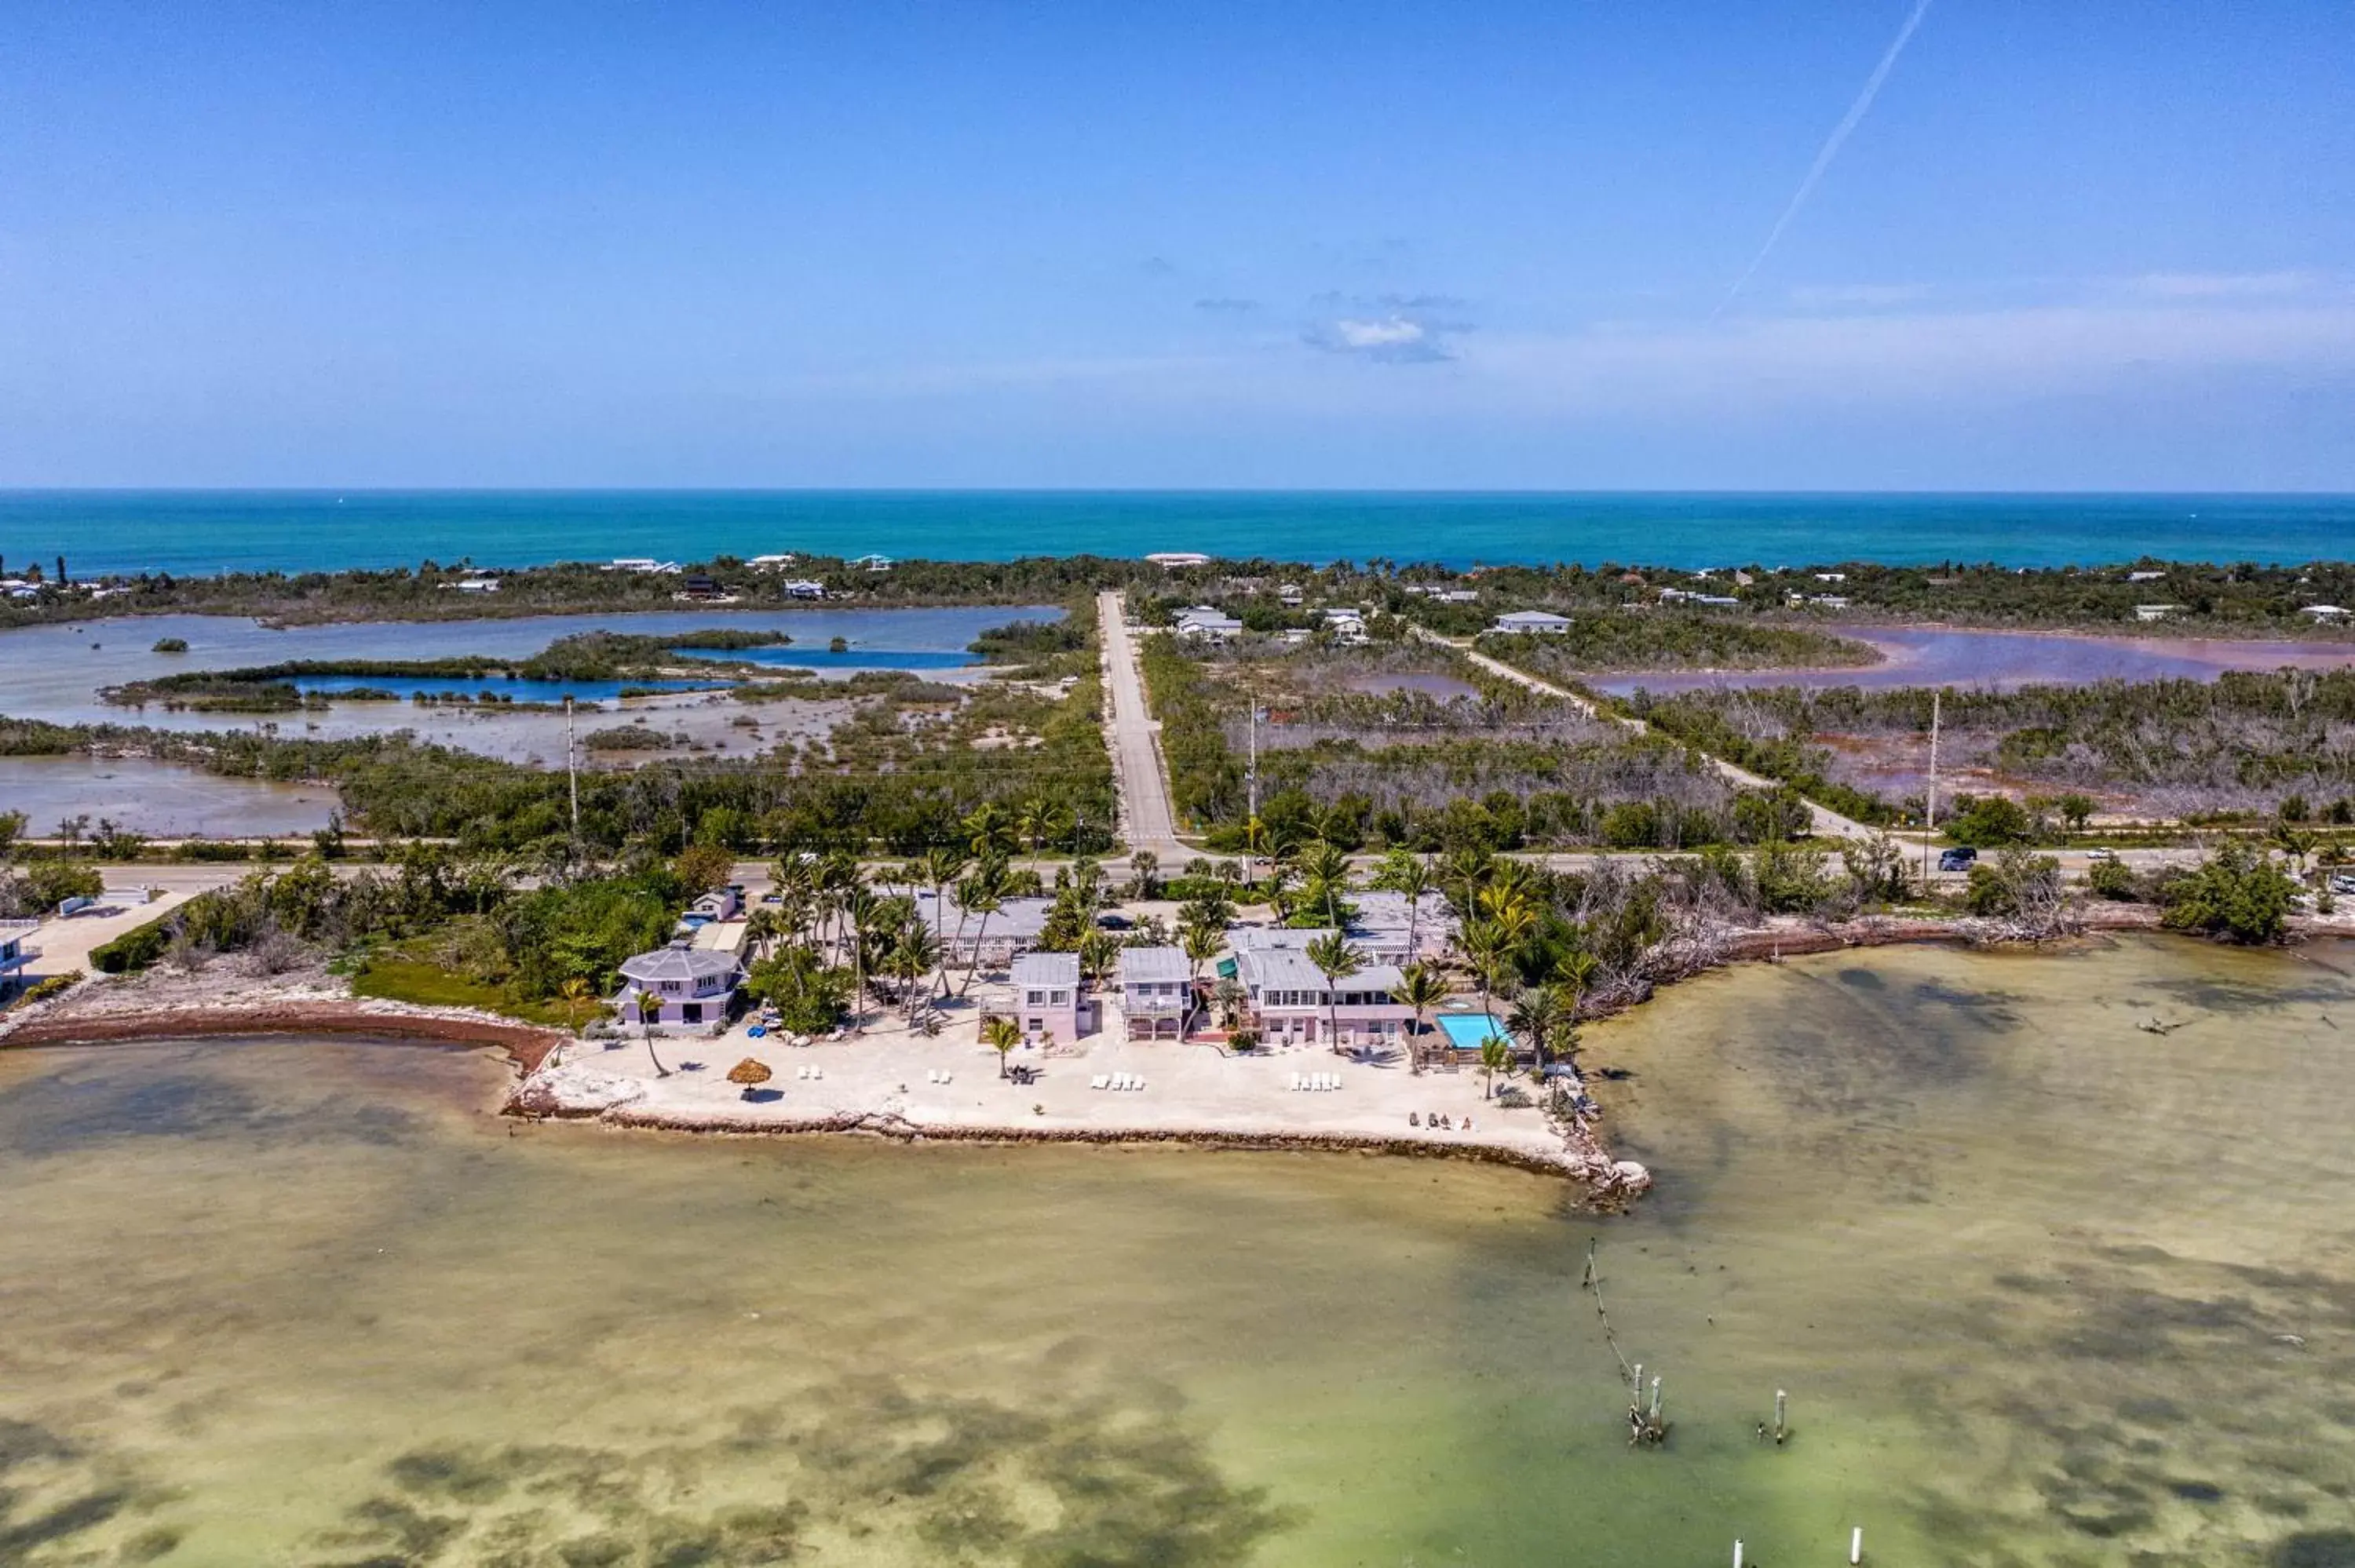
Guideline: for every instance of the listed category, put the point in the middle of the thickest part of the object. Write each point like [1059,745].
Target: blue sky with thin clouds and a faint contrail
[1433,246]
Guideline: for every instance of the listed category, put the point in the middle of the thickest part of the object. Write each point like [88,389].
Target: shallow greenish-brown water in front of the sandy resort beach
[2024,1270]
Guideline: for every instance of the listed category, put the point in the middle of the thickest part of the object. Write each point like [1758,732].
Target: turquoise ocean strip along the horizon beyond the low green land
[213,531]
